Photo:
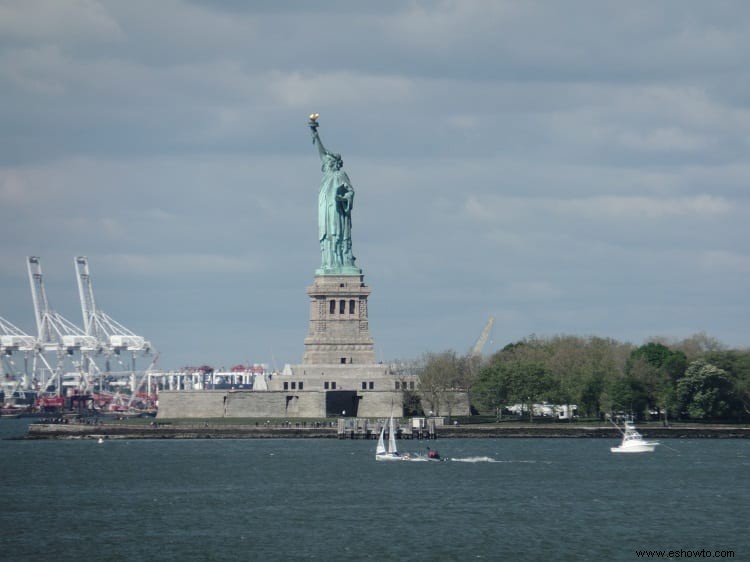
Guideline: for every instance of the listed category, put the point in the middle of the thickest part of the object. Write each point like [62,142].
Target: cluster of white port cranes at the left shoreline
[65,365]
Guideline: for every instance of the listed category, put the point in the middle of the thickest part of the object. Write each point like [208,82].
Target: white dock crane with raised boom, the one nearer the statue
[113,338]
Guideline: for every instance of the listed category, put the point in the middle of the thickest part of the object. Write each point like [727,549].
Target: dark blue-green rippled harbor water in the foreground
[327,499]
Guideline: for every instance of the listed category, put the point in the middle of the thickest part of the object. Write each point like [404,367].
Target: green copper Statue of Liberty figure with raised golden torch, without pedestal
[335,203]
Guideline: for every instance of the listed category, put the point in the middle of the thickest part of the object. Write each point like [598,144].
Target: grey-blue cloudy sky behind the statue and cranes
[566,167]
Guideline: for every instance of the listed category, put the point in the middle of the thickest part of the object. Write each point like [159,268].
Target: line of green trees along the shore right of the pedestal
[697,378]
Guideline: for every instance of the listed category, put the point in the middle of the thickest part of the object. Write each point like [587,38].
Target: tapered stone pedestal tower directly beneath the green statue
[339,331]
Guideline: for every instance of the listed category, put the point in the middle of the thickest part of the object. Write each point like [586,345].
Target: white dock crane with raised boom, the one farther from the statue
[54,332]
